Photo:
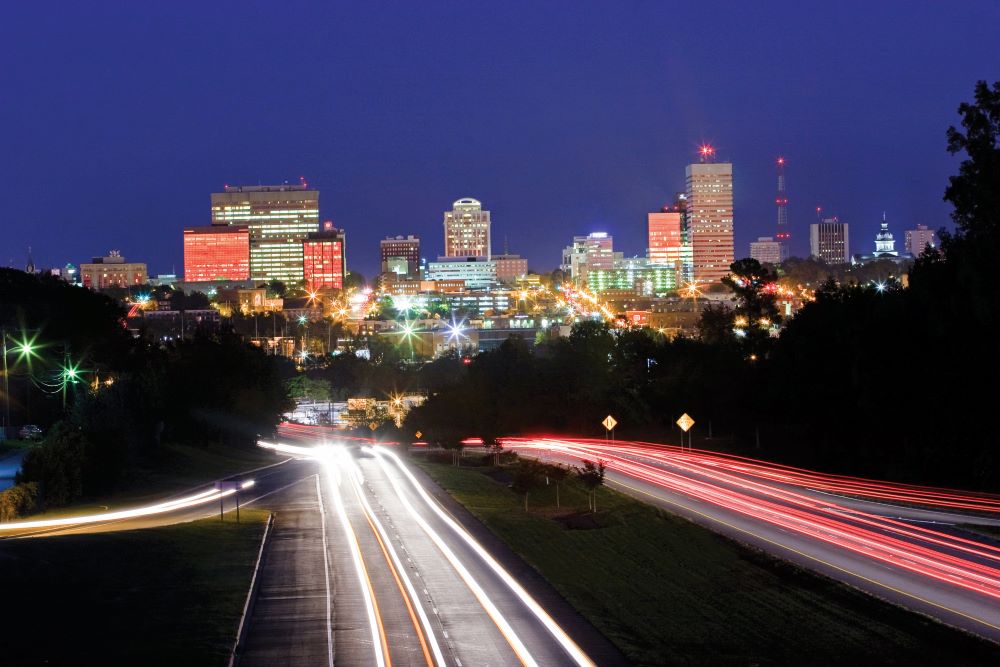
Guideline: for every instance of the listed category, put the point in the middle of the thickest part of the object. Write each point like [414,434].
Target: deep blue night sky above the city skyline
[118,119]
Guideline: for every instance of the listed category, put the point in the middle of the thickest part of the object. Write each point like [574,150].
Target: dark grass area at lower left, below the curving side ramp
[162,596]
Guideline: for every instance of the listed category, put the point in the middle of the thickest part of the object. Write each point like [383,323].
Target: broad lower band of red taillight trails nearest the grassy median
[805,516]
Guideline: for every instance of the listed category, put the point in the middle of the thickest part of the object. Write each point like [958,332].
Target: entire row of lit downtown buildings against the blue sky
[264,233]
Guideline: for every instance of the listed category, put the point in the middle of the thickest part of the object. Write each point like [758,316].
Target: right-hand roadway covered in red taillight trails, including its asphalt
[899,542]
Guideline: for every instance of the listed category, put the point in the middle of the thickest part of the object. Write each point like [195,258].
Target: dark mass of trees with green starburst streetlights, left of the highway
[127,396]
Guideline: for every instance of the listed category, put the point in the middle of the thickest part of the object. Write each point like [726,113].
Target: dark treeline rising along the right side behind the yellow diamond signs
[896,383]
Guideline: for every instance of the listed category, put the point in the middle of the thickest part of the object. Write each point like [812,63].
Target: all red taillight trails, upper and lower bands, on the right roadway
[784,496]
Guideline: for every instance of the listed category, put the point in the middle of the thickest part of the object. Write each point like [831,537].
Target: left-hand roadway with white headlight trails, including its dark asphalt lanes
[367,568]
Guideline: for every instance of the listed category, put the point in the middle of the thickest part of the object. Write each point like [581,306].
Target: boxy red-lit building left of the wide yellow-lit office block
[216,252]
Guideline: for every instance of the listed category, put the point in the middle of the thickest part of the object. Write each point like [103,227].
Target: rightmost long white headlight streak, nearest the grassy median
[564,640]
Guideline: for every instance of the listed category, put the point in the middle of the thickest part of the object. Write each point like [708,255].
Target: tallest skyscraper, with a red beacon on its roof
[710,217]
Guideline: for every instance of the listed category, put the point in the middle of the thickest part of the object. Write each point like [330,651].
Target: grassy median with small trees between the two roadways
[667,591]
